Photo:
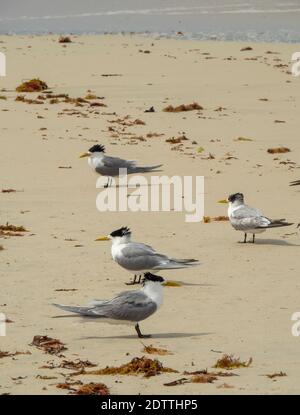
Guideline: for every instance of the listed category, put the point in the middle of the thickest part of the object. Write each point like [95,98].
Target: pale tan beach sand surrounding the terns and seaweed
[240,300]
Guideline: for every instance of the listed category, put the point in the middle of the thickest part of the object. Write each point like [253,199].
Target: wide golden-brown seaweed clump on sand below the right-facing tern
[137,366]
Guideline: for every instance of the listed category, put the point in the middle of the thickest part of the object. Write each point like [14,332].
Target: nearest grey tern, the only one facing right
[129,307]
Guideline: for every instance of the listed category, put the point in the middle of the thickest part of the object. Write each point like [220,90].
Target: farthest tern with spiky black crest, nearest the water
[110,166]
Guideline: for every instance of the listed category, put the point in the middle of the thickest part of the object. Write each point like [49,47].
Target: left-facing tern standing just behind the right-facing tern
[139,258]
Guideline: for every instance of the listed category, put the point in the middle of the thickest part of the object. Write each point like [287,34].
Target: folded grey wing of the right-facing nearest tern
[129,306]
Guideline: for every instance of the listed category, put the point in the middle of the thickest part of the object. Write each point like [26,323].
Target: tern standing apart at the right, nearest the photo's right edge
[247,219]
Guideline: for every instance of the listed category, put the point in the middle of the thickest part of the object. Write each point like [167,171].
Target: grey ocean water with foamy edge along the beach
[250,20]
